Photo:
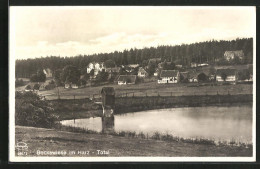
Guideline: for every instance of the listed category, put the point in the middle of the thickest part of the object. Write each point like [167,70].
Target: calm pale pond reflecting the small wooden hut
[219,123]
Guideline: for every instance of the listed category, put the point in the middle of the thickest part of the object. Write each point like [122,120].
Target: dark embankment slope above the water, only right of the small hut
[132,104]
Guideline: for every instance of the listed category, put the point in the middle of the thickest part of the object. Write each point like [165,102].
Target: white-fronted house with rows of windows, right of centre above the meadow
[169,76]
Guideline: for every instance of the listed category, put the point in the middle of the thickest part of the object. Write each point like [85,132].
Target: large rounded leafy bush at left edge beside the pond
[32,110]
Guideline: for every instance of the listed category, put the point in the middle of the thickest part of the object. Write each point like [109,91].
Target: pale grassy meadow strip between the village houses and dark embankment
[151,88]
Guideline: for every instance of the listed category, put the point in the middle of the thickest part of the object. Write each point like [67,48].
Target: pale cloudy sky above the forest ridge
[70,31]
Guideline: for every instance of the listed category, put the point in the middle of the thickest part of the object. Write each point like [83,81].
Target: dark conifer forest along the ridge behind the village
[210,52]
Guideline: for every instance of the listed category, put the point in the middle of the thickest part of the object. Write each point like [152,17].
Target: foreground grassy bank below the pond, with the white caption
[50,140]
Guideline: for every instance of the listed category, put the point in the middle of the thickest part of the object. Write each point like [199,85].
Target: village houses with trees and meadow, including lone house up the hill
[134,77]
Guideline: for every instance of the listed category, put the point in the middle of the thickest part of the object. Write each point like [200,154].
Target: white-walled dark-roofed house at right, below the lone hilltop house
[227,75]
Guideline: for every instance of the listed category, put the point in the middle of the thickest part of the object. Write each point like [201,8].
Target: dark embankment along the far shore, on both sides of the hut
[84,108]
